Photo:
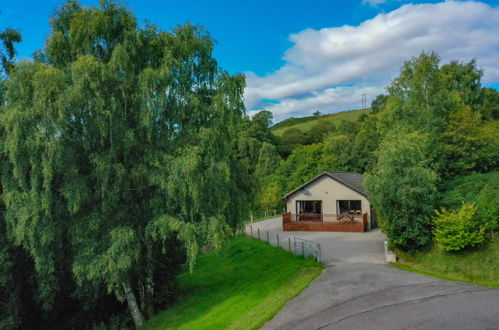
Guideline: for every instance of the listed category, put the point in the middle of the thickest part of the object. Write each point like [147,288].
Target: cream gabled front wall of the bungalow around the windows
[328,191]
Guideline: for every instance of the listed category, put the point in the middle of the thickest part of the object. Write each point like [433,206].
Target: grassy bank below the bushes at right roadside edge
[477,266]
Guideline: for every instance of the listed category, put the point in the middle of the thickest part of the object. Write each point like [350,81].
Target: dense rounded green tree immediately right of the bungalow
[403,189]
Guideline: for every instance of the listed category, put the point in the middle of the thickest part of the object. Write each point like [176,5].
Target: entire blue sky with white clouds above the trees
[305,56]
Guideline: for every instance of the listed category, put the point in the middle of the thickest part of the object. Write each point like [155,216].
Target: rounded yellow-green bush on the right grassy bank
[459,229]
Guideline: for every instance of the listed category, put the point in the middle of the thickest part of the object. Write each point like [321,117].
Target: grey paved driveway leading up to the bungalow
[358,291]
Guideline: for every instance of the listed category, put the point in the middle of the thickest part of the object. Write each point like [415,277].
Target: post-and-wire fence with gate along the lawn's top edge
[298,246]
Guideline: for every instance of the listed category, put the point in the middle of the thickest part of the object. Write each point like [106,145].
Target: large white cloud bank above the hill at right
[329,69]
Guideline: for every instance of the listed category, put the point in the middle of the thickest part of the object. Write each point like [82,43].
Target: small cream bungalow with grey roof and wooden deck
[332,201]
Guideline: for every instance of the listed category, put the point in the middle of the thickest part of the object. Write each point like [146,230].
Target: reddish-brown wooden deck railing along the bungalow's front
[337,226]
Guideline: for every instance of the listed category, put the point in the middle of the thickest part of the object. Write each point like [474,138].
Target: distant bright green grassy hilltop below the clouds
[305,123]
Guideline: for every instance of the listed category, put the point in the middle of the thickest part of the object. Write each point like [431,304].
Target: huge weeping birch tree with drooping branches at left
[124,141]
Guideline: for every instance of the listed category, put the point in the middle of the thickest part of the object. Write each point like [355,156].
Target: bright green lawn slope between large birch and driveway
[241,287]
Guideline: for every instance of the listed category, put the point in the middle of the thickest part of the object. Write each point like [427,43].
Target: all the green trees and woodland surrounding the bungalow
[126,151]
